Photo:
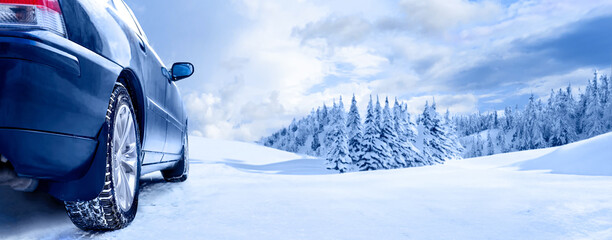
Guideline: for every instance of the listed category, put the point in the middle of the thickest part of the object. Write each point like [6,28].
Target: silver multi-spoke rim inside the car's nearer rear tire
[125,158]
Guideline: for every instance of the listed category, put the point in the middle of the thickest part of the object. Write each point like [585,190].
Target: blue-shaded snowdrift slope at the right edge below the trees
[592,157]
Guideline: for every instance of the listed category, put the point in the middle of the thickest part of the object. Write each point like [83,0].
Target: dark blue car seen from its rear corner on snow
[87,107]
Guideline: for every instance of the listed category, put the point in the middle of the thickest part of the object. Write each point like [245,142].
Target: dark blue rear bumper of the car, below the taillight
[53,100]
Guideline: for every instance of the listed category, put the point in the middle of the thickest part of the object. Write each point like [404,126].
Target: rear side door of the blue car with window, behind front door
[154,86]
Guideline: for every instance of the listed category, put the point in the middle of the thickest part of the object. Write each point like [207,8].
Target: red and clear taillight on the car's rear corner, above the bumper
[32,14]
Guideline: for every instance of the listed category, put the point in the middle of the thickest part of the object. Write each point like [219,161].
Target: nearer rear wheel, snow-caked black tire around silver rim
[116,206]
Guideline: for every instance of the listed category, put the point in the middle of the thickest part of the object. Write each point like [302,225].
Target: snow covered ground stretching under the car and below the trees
[245,191]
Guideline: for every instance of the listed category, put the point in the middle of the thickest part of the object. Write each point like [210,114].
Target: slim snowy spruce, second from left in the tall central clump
[355,133]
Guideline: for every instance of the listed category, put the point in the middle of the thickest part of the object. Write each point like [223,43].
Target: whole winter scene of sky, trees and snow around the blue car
[482,120]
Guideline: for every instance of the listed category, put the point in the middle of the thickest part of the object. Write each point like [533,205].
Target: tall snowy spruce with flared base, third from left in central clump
[375,152]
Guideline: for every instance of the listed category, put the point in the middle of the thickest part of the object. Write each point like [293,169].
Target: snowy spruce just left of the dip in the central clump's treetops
[406,135]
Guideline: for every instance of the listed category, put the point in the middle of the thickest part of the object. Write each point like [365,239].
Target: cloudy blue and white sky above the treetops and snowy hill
[261,63]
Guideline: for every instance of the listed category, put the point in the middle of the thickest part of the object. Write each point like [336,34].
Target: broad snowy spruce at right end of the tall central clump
[438,147]
